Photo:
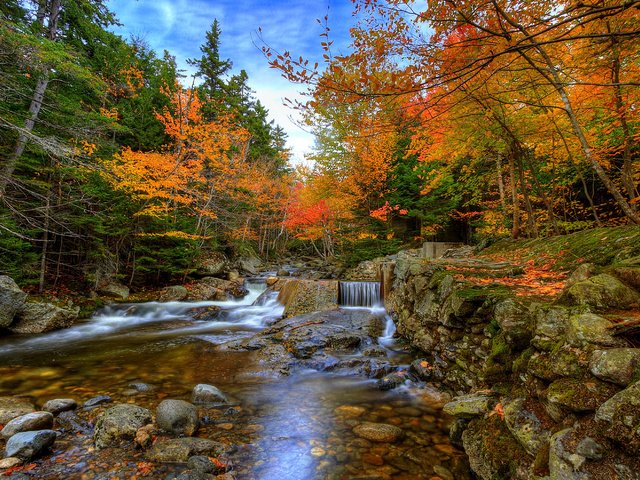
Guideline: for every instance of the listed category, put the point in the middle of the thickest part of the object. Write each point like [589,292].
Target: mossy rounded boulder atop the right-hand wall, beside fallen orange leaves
[601,291]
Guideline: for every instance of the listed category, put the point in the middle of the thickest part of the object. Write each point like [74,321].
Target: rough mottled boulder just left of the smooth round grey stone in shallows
[119,424]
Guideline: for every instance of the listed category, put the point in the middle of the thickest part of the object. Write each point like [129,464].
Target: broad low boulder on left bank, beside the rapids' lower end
[43,317]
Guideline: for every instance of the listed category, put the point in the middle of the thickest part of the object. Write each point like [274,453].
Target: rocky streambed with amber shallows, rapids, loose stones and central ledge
[246,388]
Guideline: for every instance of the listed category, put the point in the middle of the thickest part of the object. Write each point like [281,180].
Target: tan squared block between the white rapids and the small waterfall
[306,296]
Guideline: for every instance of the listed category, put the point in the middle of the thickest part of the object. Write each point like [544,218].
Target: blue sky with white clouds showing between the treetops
[179,26]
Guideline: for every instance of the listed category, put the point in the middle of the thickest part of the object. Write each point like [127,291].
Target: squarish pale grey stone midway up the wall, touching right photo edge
[617,365]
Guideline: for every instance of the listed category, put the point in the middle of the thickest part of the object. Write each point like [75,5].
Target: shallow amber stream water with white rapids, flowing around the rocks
[296,427]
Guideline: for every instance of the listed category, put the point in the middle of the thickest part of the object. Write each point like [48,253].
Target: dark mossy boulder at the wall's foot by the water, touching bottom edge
[493,452]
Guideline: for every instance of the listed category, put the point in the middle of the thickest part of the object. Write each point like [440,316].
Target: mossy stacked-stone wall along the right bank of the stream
[546,385]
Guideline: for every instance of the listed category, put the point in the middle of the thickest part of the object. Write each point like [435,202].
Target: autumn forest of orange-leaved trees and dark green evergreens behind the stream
[445,120]
